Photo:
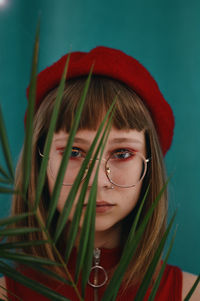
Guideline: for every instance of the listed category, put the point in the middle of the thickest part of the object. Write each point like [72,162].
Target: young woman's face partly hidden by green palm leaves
[112,205]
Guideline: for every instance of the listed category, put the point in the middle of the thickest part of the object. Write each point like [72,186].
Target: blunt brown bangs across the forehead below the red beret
[130,112]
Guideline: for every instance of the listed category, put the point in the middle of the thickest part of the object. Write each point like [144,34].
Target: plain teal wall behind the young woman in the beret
[163,35]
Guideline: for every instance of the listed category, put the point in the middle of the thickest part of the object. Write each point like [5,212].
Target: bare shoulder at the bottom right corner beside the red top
[188,281]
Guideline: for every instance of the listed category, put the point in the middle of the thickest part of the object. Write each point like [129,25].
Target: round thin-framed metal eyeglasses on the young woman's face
[124,168]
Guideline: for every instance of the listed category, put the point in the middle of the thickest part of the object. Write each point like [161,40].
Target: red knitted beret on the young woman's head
[117,65]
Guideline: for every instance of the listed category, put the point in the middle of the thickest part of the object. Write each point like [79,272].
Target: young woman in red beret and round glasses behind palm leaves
[140,136]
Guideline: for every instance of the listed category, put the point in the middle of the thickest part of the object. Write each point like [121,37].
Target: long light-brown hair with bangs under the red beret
[130,113]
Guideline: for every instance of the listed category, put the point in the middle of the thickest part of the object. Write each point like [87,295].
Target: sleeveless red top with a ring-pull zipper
[170,287]
